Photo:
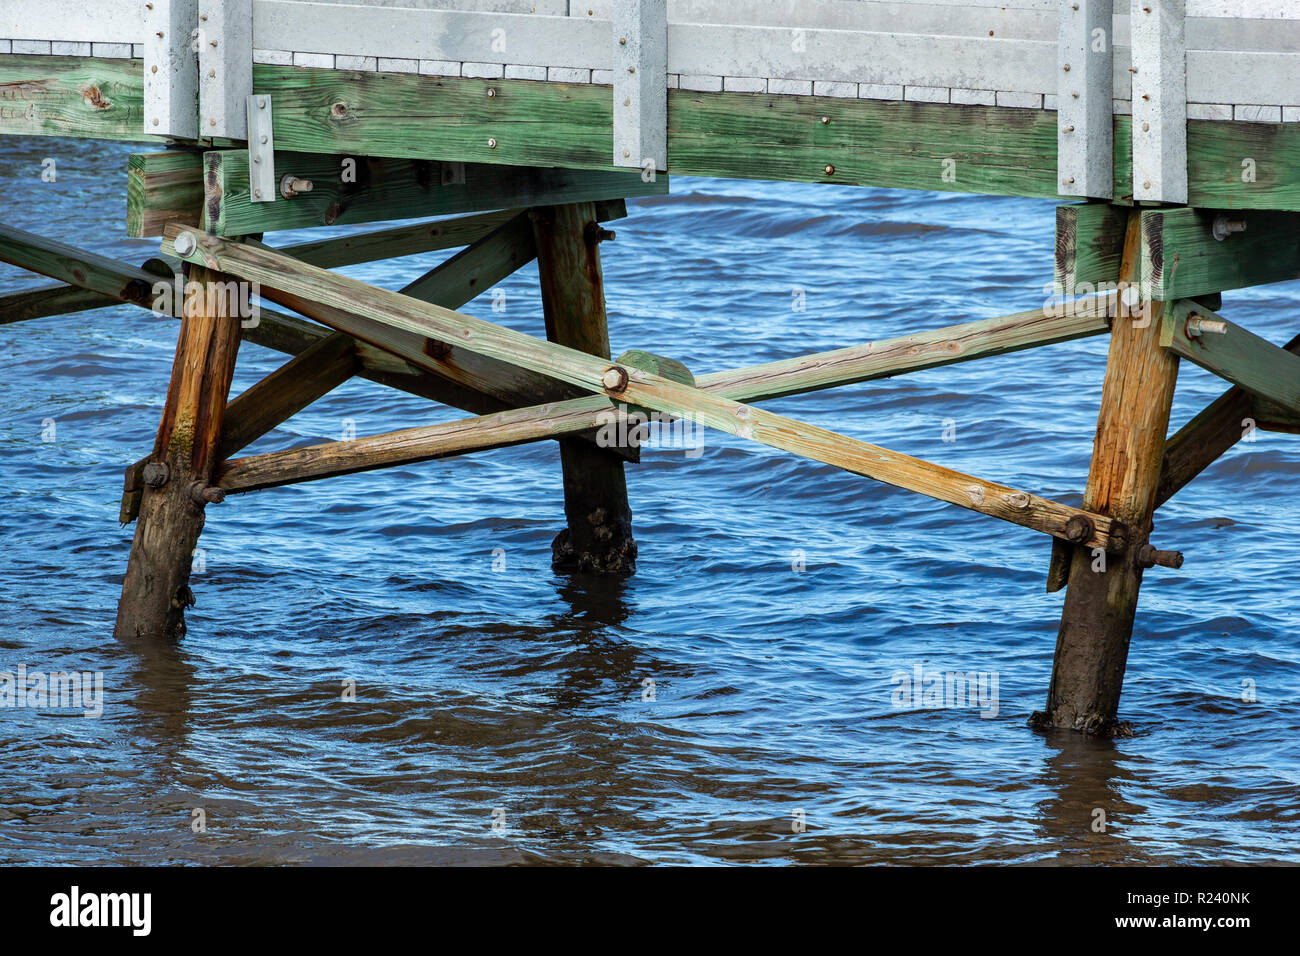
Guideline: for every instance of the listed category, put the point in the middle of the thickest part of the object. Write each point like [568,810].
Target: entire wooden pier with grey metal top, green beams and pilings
[1168,129]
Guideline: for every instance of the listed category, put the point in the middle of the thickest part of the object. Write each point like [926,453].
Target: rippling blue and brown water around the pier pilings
[517,699]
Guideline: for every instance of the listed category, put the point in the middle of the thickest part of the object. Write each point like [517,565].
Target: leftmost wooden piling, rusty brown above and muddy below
[157,591]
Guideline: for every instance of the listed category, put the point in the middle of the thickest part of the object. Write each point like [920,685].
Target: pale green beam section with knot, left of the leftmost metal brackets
[73,97]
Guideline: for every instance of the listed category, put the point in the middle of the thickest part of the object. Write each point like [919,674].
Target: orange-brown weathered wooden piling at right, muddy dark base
[1102,602]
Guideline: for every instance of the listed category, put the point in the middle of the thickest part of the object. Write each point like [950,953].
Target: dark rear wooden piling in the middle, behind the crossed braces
[599,538]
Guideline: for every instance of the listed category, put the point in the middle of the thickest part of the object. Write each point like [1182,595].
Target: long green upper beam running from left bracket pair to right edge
[752,137]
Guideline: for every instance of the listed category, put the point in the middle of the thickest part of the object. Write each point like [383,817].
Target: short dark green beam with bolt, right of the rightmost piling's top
[1182,259]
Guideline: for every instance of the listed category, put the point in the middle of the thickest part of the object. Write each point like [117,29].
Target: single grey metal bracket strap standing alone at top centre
[642,85]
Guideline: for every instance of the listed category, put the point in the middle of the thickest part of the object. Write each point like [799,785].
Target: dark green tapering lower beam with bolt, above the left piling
[359,189]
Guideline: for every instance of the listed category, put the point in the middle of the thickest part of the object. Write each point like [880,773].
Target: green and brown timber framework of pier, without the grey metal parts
[526,167]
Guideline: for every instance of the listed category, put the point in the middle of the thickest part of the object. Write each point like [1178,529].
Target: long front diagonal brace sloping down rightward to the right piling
[284,279]
